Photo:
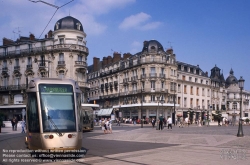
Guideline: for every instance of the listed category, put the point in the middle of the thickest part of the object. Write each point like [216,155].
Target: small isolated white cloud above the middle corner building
[138,21]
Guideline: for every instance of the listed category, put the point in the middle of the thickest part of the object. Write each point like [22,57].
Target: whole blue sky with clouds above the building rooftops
[201,32]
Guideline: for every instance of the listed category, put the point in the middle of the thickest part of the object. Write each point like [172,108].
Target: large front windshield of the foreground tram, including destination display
[58,108]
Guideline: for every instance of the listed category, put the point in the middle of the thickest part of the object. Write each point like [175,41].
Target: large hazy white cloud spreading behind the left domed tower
[33,17]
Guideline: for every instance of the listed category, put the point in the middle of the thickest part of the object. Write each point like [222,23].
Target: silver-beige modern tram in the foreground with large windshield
[53,114]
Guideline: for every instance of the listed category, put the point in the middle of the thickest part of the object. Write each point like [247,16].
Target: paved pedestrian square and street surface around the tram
[129,144]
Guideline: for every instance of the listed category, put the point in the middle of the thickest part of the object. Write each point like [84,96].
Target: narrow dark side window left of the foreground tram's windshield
[32,111]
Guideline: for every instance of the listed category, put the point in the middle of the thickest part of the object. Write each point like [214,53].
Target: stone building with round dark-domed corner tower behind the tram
[61,54]
